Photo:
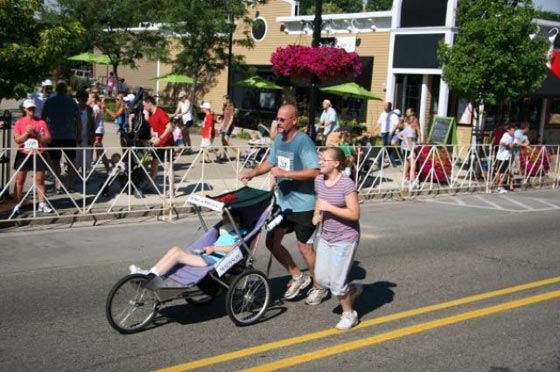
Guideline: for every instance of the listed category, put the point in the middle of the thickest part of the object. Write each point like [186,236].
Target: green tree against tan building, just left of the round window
[202,35]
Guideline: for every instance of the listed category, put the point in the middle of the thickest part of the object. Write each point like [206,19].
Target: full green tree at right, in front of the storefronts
[493,58]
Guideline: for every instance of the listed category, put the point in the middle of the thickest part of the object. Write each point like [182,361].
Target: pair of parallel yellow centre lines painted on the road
[345,347]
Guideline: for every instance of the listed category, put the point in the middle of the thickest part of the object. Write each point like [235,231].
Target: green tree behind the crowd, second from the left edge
[110,24]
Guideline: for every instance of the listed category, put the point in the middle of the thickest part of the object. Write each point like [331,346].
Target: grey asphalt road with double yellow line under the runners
[431,270]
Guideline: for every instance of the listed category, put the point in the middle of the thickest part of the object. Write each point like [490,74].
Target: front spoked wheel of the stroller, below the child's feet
[130,306]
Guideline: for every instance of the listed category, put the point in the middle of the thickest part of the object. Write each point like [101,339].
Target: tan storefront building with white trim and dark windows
[398,49]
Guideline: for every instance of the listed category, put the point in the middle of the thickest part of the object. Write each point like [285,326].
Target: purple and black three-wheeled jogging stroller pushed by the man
[133,301]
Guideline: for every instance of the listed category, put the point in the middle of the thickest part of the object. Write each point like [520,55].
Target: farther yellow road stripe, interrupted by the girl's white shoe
[204,362]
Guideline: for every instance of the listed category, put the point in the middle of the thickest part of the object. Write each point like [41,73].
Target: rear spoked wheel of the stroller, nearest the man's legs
[248,297]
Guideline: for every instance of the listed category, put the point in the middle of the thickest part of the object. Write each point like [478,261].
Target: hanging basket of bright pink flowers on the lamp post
[329,64]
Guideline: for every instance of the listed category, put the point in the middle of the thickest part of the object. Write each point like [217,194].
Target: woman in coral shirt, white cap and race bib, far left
[32,136]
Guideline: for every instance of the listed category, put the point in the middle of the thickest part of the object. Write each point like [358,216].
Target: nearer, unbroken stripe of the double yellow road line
[350,346]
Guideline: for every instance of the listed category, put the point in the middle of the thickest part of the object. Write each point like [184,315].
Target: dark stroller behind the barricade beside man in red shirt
[119,171]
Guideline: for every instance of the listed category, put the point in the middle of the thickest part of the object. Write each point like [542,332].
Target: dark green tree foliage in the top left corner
[29,46]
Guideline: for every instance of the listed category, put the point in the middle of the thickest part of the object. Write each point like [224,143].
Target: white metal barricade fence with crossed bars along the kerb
[120,180]
